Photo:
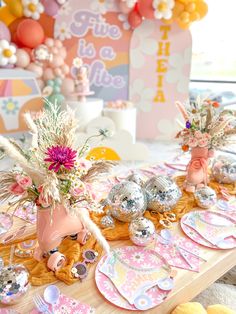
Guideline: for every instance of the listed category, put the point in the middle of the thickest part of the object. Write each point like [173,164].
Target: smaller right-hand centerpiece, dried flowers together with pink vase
[206,129]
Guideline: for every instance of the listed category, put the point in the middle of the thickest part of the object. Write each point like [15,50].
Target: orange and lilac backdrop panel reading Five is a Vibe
[101,42]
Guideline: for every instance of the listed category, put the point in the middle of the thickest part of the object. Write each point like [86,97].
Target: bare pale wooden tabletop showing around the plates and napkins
[188,284]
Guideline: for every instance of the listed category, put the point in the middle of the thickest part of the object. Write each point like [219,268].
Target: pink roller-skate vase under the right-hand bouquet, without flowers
[197,174]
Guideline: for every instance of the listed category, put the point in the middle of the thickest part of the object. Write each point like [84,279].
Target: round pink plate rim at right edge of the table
[229,243]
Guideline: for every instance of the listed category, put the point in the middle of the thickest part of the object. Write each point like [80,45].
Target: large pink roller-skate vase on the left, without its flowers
[51,230]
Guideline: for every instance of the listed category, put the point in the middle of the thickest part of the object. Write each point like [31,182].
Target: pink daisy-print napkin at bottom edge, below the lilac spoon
[67,305]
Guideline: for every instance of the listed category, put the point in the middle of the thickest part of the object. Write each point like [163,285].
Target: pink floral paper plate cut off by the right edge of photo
[213,217]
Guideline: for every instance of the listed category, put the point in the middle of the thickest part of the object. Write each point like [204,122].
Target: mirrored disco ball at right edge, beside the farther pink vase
[224,169]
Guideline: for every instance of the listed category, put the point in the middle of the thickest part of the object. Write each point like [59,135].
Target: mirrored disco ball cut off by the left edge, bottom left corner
[14,284]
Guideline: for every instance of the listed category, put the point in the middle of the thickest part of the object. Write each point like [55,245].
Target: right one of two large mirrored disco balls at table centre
[162,193]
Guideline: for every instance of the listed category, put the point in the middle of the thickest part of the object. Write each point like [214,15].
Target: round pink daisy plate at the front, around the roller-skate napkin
[138,257]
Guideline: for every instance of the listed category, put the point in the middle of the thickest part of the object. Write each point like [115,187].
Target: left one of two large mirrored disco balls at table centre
[127,201]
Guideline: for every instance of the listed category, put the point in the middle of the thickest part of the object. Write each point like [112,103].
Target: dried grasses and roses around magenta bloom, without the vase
[53,170]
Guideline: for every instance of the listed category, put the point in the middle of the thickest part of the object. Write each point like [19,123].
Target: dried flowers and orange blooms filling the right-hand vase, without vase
[205,125]
